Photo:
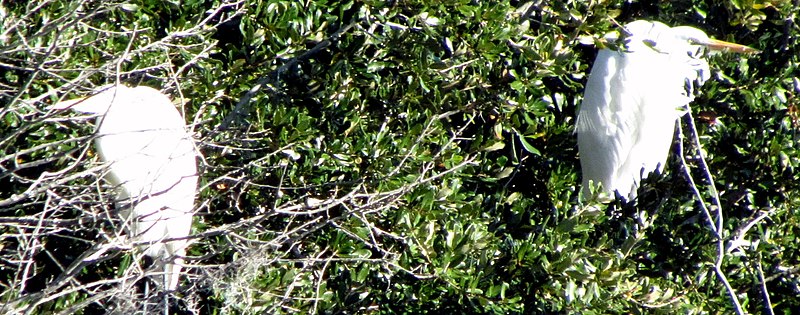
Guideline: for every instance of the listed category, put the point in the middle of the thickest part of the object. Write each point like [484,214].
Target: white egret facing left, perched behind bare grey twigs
[151,163]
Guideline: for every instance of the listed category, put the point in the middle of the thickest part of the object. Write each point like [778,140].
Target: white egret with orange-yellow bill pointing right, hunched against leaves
[633,98]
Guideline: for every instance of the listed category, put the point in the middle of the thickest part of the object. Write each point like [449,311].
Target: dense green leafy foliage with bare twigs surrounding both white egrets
[411,157]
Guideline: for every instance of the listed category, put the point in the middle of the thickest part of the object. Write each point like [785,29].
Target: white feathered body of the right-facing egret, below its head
[626,120]
